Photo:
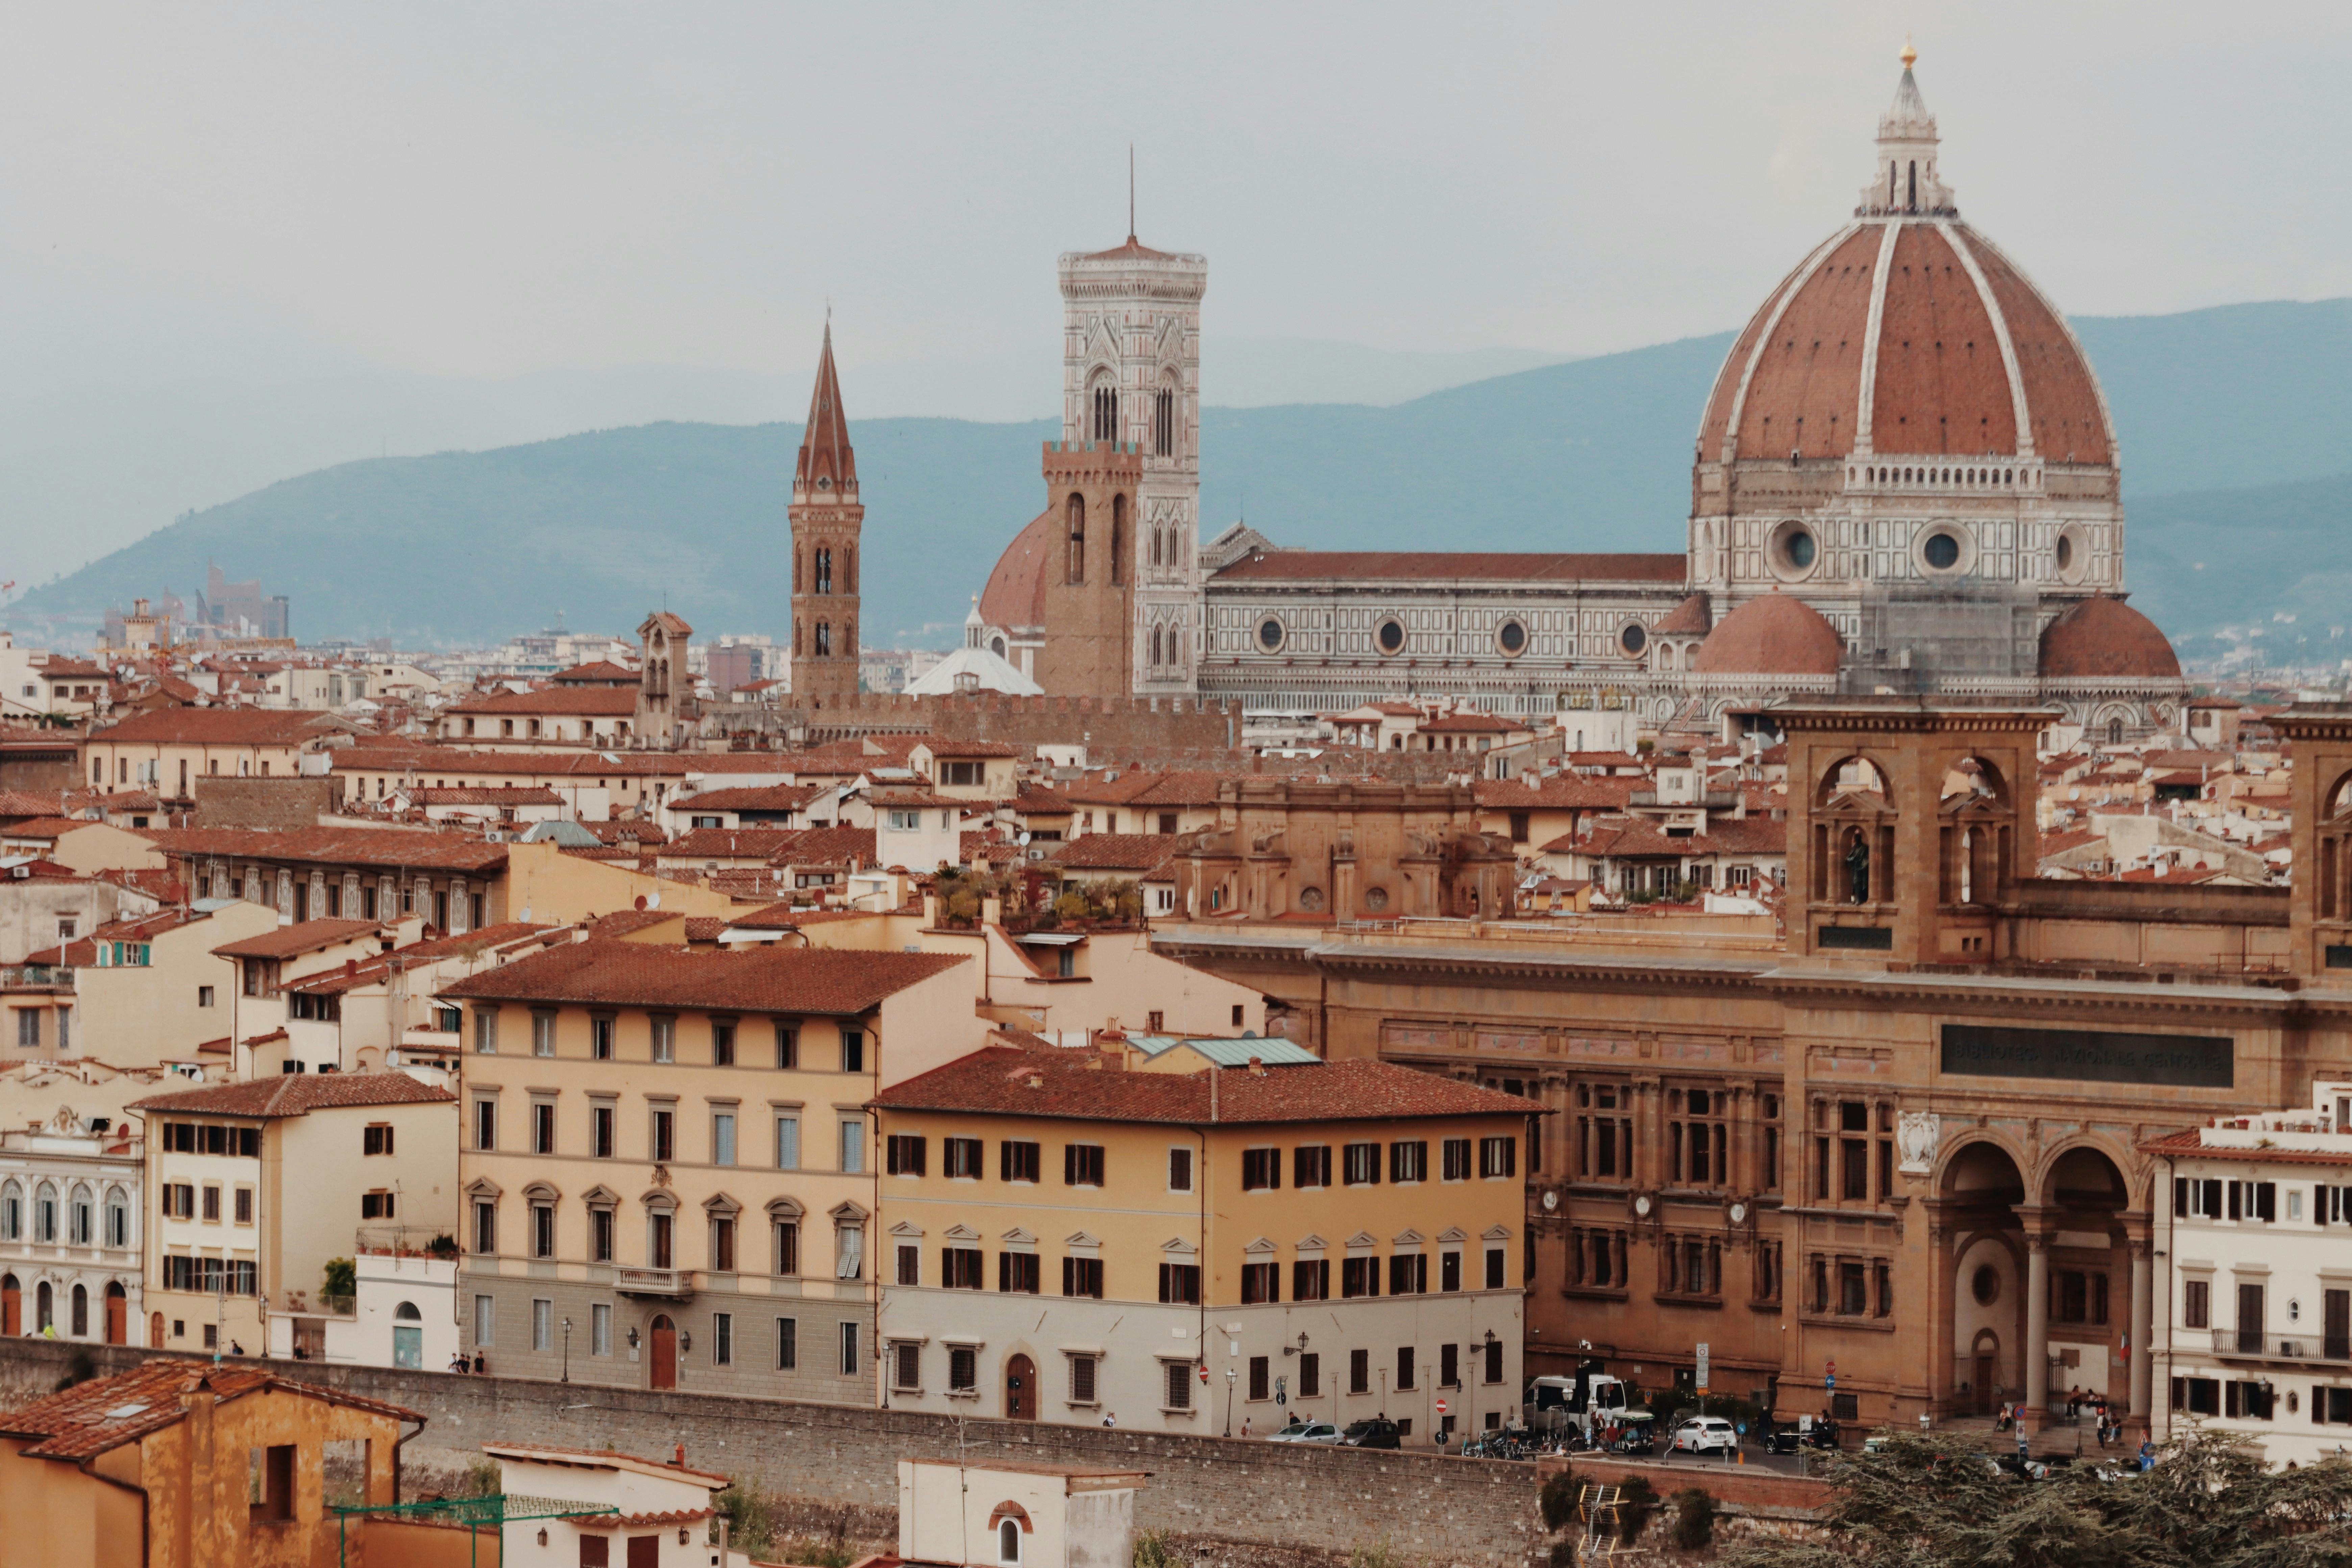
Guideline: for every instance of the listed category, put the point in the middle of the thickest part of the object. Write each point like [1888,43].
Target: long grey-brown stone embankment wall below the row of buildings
[1434,1508]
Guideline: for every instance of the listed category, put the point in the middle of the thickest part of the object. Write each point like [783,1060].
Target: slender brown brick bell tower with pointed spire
[827,523]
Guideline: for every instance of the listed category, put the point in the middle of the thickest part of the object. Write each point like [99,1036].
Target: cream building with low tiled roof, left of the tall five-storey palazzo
[253,1188]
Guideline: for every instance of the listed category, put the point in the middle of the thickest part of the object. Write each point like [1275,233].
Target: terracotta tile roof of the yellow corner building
[1013,1083]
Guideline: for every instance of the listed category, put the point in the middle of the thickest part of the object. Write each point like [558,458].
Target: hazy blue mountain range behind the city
[2236,438]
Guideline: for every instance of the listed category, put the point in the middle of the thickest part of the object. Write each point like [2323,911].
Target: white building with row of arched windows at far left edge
[69,1228]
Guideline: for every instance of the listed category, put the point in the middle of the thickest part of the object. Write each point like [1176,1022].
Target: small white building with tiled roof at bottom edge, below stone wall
[662,1510]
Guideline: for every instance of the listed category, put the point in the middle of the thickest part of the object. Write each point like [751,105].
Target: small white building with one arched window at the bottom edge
[1017,1515]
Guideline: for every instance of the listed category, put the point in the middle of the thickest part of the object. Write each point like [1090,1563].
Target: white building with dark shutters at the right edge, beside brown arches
[2254,1252]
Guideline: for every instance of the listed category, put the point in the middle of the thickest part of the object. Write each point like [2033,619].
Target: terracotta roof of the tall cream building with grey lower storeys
[763,979]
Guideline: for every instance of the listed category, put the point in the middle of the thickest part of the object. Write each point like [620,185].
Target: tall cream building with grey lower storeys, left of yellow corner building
[669,1177]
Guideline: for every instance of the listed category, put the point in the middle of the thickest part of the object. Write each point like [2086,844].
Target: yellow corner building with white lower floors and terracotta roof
[1074,1242]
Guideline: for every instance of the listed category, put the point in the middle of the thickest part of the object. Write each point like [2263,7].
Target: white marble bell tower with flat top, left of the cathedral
[1132,382]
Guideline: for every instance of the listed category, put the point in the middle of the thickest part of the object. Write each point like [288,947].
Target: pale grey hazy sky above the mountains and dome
[500,189]
